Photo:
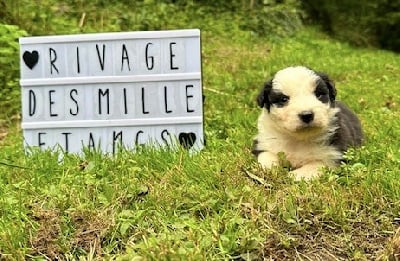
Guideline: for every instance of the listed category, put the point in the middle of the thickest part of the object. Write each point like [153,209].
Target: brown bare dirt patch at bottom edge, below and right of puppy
[327,244]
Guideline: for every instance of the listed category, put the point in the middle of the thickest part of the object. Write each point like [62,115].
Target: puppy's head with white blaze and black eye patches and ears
[299,101]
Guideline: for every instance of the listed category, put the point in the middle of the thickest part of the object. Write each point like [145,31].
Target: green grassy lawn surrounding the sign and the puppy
[218,204]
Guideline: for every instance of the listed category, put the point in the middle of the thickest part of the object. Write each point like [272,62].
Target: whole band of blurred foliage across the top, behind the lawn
[365,23]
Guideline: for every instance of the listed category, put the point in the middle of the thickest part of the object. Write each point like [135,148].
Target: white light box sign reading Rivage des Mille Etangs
[111,89]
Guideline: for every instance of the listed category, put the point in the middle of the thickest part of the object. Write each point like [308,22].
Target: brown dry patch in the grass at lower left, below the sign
[88,231]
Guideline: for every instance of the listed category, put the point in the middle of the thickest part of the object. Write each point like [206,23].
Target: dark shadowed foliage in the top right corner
[366,23]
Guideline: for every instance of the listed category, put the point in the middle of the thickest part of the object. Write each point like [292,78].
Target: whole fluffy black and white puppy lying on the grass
[301,118]
